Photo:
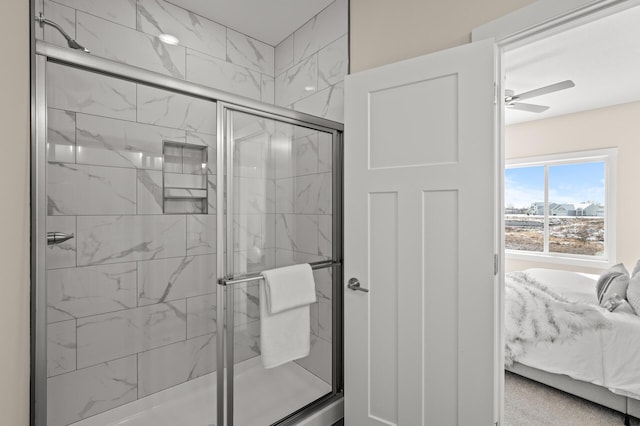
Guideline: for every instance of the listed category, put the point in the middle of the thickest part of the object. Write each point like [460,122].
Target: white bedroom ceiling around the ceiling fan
[602,58]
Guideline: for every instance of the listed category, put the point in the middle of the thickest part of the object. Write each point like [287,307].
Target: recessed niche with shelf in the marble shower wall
[184,178]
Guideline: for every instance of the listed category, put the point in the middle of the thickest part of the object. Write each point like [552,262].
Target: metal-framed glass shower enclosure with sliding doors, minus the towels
[156,204]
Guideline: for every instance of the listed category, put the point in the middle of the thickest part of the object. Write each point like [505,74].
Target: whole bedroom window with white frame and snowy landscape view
[561,207]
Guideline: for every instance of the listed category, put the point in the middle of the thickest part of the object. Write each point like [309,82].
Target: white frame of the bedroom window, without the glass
[609,157]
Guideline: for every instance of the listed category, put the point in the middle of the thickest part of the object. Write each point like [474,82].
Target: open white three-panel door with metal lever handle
[420,158]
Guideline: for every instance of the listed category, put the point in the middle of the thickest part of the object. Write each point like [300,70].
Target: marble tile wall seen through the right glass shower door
[283,216]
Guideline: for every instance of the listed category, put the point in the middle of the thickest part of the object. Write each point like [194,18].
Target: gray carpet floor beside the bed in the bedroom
[529,403]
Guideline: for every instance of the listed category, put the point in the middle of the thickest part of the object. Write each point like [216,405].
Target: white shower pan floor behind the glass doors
[262,397]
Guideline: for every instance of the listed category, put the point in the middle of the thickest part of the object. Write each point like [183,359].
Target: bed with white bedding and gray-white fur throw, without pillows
[557,334]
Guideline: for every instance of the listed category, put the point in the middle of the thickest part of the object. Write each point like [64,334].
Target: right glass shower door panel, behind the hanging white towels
[281,214]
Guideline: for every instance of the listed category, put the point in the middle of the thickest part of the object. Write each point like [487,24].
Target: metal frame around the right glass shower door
[225,258]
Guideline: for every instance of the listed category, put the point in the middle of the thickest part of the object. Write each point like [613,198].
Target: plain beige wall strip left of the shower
[14,216]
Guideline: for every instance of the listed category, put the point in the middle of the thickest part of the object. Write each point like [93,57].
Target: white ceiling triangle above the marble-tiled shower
[270,21]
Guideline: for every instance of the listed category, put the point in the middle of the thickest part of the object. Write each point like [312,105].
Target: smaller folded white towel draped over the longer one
[289,287]
